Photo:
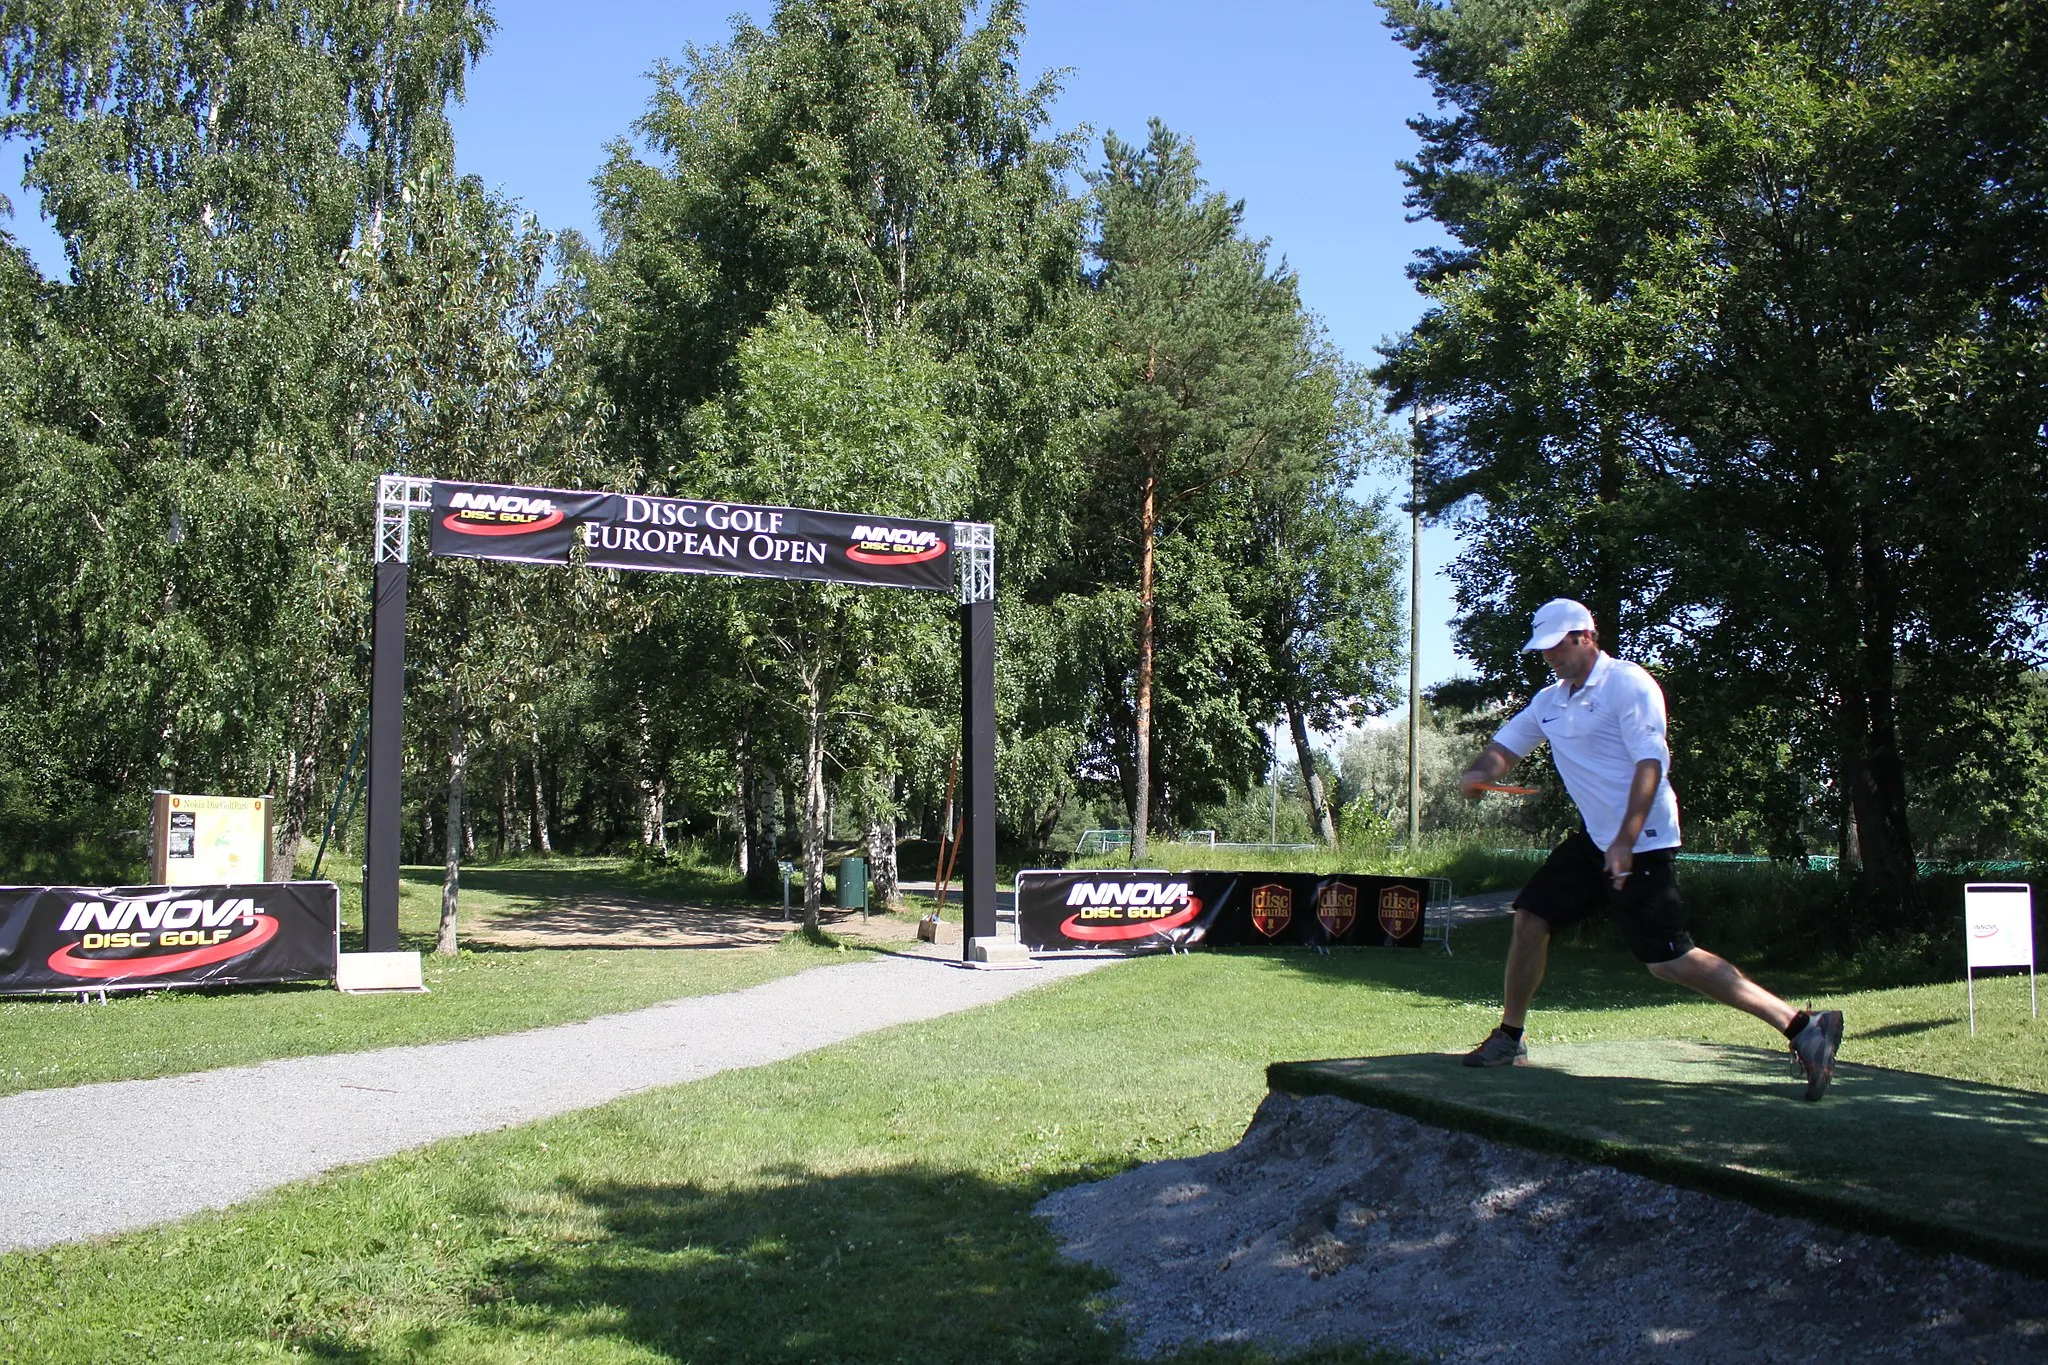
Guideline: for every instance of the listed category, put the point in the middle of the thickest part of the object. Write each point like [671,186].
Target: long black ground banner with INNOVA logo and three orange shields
[1148,912]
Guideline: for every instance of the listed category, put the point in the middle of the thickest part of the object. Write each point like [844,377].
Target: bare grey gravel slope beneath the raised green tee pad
[1332,1221]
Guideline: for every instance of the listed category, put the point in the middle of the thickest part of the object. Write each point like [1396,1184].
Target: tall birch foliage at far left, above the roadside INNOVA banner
[177,449]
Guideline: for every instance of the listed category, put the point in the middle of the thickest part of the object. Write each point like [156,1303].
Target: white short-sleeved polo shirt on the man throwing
[1598,736]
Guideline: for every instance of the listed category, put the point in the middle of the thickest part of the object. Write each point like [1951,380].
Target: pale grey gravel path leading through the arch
[95,1153]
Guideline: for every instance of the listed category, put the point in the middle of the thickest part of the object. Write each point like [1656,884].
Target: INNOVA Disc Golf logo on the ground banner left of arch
[122,940]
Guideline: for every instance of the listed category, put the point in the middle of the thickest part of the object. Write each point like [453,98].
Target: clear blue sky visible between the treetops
[1299,109]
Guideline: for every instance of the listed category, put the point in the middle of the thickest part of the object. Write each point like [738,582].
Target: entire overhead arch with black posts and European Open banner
[679,535]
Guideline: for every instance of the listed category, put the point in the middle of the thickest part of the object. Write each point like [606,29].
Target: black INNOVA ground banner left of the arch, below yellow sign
[122,938]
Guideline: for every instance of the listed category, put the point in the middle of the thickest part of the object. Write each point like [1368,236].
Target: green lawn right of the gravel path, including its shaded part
[869,1202]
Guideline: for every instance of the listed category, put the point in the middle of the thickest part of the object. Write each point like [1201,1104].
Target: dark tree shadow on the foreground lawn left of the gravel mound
[880,1266]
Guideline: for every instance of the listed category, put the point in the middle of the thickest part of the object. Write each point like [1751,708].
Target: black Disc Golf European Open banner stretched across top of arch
[679,535]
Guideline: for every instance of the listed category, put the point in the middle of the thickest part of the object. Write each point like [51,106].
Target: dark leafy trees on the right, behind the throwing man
[1734,347]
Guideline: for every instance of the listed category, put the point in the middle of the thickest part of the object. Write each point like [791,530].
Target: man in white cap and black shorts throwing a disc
[1605,721]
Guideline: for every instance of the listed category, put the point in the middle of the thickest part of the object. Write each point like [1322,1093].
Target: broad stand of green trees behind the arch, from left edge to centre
[843,267]
